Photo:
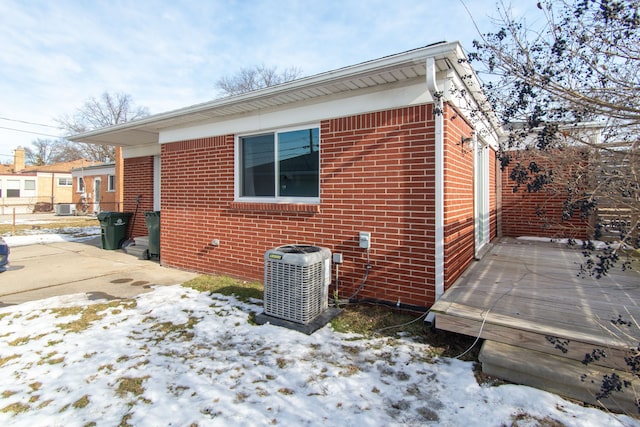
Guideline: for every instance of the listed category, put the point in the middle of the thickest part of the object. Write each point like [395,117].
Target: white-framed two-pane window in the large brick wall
[279,166]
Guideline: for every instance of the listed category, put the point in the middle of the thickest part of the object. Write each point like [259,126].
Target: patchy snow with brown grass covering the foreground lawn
[191,358]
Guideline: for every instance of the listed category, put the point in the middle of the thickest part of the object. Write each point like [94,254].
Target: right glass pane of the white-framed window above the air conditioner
[299,163]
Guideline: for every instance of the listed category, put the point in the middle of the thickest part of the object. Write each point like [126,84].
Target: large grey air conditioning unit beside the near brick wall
[296,282]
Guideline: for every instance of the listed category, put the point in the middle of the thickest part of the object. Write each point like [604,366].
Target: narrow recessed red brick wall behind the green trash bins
[138,172]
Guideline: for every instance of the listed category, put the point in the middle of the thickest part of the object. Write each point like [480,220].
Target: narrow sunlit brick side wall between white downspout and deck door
[459,238]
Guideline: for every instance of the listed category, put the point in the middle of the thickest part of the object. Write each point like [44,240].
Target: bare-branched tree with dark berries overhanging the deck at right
[568,93]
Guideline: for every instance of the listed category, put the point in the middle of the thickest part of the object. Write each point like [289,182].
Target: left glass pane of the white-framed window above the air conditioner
[258,167]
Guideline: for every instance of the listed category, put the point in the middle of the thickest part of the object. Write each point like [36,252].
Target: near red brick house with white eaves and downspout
[391,147]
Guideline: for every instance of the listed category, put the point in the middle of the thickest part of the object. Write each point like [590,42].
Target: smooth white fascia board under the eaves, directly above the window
[364,101]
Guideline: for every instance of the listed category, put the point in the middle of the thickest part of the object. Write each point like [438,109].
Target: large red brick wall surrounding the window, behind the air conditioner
[377,175]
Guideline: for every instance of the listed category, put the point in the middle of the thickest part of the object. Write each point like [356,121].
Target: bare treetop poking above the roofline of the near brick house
[259,77]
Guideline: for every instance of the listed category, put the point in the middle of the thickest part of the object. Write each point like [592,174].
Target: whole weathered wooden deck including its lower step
[539,319]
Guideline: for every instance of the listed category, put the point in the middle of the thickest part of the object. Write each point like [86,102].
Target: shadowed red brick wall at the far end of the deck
[521,212]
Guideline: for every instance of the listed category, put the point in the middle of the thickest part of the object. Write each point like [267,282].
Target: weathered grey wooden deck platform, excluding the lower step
[534,287]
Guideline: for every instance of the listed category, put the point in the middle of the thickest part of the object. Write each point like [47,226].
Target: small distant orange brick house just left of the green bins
[94,189]
